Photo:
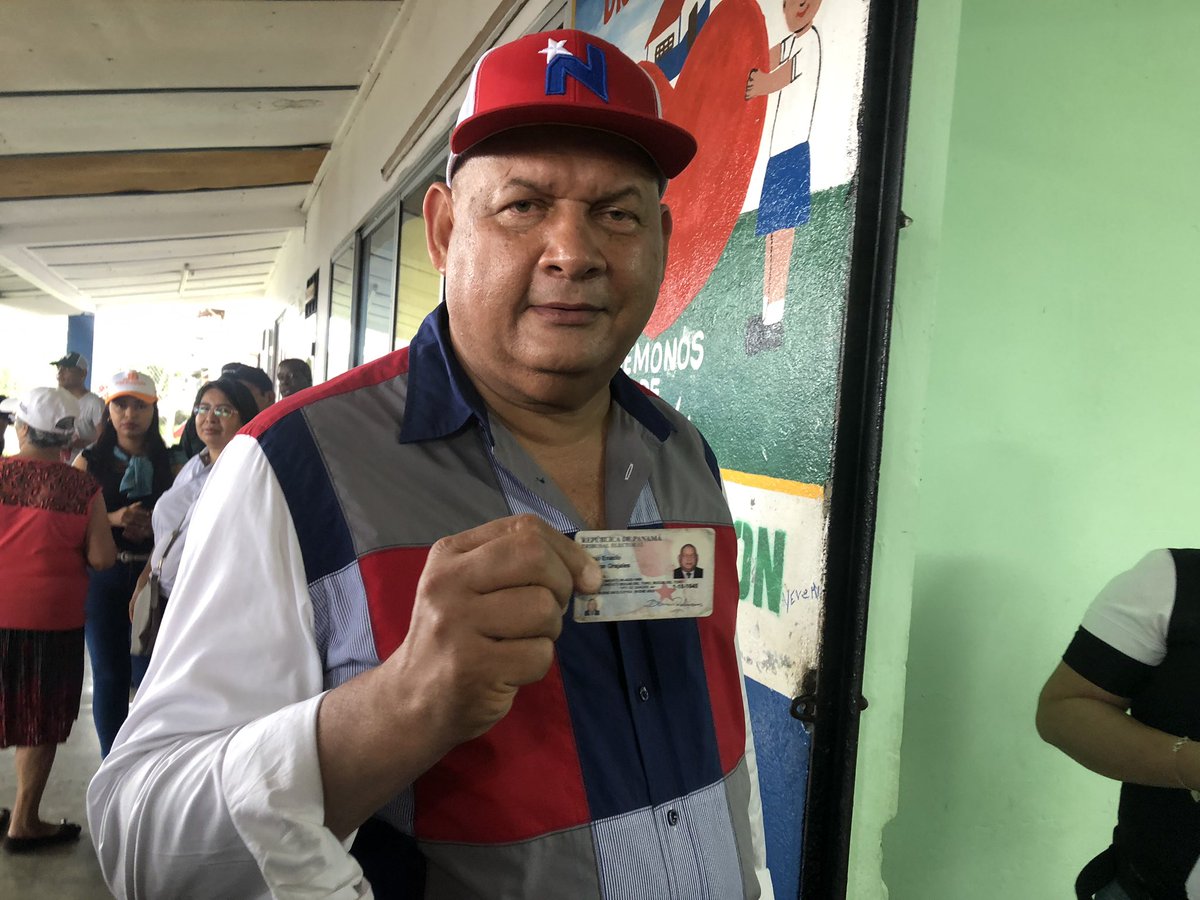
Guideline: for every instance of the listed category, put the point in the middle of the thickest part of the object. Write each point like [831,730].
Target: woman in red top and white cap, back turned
[53,523]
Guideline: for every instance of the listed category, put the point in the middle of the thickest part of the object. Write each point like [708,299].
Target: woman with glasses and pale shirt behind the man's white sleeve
[223,409]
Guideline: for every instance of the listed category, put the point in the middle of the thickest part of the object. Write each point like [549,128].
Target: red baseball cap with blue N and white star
[568,77]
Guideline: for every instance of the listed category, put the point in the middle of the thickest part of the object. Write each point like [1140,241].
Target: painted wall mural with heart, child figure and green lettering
[748,332]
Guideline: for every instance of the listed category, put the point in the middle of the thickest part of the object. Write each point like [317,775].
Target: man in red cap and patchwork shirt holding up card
[375,628]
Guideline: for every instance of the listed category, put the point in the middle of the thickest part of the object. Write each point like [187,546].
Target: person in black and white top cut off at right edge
[1139,651]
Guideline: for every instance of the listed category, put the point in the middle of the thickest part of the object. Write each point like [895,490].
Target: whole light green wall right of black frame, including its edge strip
[1052,441]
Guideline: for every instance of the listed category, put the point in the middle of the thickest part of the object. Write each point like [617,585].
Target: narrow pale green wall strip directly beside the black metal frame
[913,333]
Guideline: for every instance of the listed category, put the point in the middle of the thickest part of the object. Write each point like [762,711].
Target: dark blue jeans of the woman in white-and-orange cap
[107,629]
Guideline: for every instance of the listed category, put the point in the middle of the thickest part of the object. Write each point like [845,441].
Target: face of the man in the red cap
[554,247]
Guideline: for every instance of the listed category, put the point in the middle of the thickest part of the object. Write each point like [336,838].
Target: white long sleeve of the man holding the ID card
[213,789]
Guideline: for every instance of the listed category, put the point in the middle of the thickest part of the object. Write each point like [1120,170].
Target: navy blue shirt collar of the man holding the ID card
[442,399]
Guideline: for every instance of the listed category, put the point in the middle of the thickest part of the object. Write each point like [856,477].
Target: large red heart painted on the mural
[710,100]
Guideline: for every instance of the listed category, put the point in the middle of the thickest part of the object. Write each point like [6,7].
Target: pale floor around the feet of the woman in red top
[68,873]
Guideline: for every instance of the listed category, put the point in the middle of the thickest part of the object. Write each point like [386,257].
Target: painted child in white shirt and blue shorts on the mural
[787,199]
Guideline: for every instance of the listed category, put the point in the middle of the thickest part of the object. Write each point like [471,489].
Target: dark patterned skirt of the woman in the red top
[41,682]
